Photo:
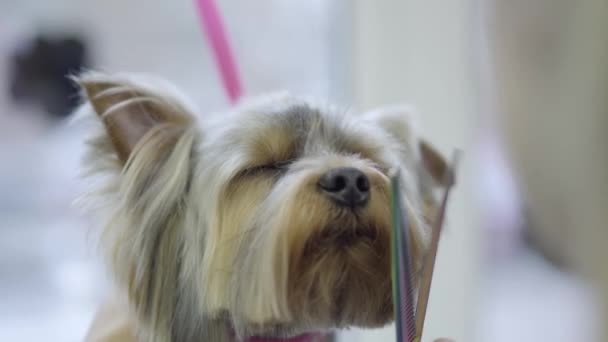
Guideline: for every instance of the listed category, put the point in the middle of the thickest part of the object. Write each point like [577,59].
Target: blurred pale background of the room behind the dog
[520,85]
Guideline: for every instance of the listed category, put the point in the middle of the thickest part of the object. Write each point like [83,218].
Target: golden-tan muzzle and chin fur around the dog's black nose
[326,262]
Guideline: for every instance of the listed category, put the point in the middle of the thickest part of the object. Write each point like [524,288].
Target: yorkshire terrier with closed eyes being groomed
[269,221]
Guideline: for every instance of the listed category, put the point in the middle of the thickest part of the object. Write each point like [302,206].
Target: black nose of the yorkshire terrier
[346,186]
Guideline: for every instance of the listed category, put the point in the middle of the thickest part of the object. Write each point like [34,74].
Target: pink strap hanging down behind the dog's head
[213,27]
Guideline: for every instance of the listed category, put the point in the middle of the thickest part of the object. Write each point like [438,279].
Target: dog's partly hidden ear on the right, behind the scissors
[399,122]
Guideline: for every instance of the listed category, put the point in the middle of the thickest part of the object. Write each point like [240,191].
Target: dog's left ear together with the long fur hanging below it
[145,152]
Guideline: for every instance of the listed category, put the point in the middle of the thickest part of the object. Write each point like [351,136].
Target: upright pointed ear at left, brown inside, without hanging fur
[130,111]
